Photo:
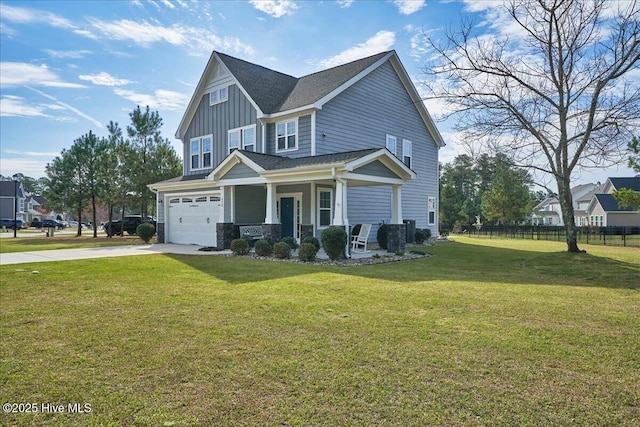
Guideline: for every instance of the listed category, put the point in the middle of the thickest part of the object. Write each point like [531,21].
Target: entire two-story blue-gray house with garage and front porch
[348,145]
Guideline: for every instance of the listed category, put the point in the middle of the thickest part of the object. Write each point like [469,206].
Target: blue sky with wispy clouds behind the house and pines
[68,67]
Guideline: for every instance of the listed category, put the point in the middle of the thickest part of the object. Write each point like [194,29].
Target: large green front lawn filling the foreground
[484,332]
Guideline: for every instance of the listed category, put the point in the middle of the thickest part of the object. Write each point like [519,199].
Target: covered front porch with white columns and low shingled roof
[301,197]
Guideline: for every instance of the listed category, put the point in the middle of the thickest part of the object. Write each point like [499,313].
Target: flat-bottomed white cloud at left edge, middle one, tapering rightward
[13,74]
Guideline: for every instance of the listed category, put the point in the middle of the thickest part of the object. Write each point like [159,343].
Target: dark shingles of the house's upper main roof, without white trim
[274,91]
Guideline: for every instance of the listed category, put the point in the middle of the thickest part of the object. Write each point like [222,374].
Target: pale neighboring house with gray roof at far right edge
[603,209]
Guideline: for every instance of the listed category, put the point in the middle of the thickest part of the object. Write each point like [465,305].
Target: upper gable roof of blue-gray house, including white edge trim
[276,93]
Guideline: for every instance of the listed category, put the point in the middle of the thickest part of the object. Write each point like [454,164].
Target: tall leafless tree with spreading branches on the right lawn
[556,89]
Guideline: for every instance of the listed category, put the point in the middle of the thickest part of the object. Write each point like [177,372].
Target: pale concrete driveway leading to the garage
[112,251]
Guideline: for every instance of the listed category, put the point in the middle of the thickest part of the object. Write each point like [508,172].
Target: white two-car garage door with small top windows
[192,219]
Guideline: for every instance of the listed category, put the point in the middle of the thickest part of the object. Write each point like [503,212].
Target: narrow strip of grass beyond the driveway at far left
[65,241]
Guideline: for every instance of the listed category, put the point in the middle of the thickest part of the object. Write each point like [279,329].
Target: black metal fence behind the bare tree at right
[609,236]
